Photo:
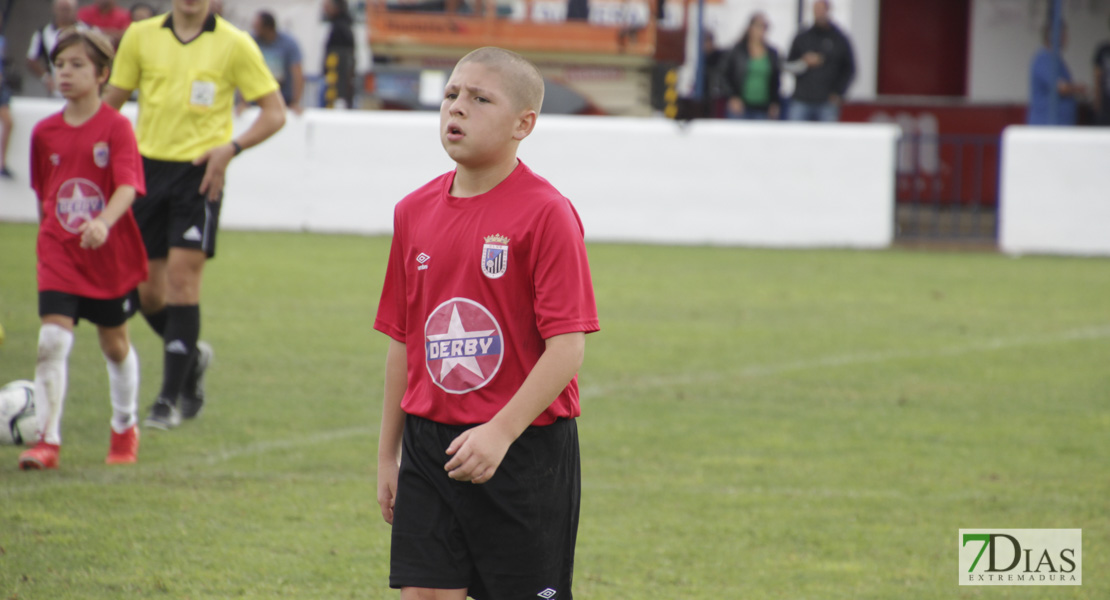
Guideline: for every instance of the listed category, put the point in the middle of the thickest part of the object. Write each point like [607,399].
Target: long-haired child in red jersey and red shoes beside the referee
[86,172]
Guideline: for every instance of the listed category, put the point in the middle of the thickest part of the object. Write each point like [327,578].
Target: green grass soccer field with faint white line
[758,424]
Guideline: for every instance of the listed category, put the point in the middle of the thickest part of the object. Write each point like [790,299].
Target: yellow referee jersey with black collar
[187,91]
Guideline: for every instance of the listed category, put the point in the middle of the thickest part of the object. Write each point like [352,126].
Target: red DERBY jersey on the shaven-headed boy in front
[476,286]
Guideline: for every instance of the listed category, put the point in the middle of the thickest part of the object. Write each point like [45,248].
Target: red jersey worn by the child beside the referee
[75,171]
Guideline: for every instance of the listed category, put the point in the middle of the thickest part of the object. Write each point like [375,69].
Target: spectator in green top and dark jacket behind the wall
[751,76]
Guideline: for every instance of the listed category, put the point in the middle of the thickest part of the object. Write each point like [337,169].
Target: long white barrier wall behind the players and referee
[644,180]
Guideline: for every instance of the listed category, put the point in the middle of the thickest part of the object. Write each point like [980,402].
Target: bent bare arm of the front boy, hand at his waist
[478,453]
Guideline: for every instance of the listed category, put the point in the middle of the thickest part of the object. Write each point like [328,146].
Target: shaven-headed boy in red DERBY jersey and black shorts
[488,300]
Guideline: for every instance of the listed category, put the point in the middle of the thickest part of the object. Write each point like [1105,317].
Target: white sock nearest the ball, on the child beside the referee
[51,374]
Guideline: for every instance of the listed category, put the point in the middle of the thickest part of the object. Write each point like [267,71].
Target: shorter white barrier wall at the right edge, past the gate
[1055,191]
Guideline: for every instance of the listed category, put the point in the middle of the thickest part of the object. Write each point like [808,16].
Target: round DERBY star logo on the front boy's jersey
[463,347]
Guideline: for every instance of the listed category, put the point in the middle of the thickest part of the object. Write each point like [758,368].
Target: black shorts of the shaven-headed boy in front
[510,538]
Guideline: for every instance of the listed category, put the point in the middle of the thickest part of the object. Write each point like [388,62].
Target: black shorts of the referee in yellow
[175,213]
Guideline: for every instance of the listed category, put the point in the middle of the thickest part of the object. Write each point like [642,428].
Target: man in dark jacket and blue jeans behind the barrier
[823,59]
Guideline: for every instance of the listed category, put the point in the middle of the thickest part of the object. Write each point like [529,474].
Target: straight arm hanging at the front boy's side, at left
[393,424]
